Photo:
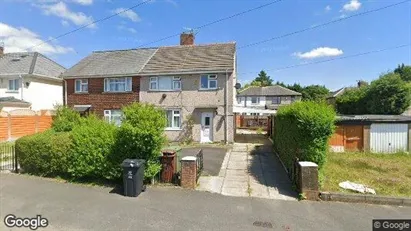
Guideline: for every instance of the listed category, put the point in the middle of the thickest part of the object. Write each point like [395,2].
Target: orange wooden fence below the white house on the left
[21,122]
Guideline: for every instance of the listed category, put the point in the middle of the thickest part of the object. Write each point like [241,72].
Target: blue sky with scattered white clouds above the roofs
[25,23]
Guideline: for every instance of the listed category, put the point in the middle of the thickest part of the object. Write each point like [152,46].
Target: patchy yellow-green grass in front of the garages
[388,174]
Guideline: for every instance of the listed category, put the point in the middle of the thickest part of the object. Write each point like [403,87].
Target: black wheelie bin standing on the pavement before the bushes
[133,177]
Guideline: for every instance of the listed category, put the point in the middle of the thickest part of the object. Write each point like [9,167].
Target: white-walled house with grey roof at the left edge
[29,80]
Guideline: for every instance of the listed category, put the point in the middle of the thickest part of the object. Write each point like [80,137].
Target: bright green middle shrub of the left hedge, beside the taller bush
[93,142]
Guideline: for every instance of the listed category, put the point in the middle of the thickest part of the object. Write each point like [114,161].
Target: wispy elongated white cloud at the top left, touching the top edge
[61,10]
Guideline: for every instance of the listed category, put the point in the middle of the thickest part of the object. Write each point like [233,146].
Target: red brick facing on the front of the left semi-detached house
[100,100]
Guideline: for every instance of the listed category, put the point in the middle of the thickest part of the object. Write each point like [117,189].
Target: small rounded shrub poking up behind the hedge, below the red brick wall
[65,119]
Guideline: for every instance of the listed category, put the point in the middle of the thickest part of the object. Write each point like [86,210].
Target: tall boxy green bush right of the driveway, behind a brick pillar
[302,130]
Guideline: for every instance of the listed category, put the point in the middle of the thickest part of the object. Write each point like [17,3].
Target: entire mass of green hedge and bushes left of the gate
[91,149]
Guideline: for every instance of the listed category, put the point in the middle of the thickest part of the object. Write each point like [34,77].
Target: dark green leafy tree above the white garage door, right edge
[388,95]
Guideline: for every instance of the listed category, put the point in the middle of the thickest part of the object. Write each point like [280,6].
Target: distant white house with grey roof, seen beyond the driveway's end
[270,97]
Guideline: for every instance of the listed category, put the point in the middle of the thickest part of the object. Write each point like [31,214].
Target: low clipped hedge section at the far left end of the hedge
[44,154]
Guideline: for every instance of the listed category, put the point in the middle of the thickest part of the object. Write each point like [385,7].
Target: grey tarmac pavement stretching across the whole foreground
[78,207]
